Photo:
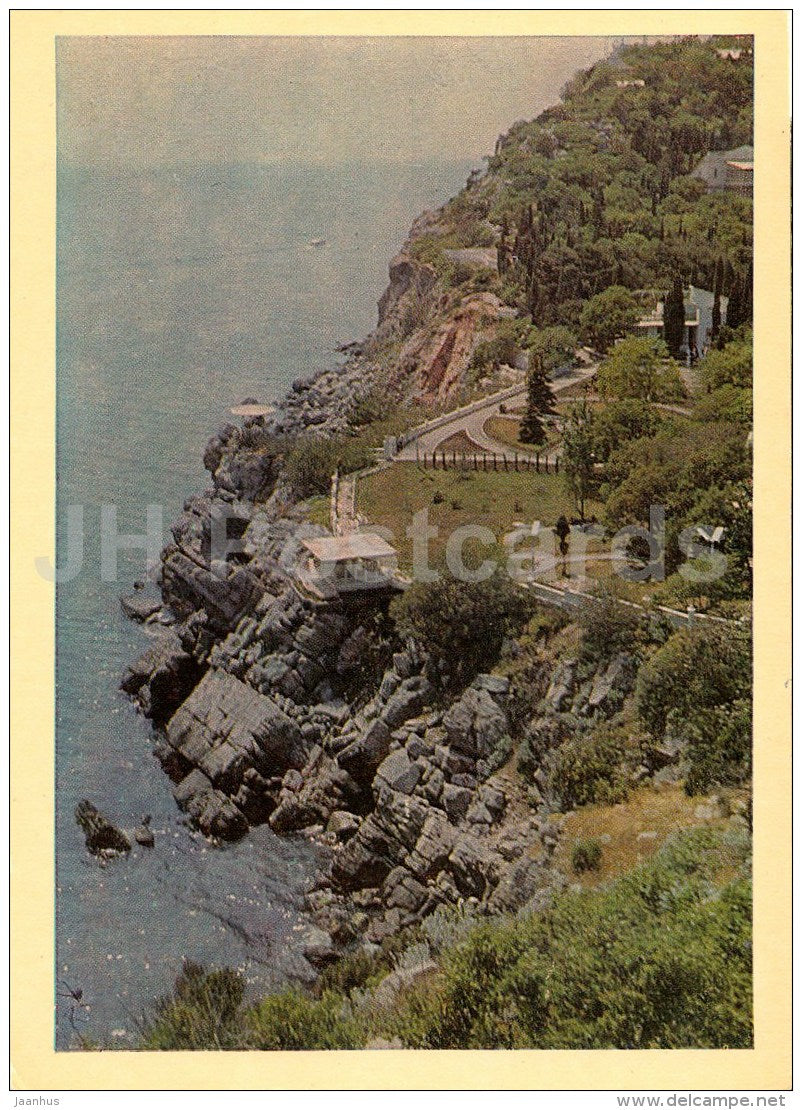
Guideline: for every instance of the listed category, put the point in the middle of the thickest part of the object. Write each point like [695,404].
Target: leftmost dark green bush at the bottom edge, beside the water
[205,1012]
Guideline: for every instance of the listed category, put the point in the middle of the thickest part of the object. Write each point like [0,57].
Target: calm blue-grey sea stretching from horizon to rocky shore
[180,292]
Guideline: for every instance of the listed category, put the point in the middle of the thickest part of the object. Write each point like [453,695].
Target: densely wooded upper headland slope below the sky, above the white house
[595,199]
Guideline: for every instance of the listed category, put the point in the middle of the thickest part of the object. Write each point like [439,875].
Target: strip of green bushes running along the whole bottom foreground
[661,958]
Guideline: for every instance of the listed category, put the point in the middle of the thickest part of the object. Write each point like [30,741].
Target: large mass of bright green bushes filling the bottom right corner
[658,960]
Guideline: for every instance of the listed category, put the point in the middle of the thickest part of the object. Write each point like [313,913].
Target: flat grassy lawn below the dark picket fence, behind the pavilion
[494,500]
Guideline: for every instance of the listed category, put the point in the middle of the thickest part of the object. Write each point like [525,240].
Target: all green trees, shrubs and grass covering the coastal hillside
[595,215]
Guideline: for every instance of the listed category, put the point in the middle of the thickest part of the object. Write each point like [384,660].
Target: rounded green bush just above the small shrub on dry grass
[592,768]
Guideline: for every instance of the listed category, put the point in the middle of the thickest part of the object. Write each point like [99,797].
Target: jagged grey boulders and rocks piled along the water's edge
[271,707]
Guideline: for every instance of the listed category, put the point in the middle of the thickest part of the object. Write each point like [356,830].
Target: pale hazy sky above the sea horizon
[160,100]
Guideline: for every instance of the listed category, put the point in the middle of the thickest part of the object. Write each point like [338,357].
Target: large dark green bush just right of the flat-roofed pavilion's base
[462,625]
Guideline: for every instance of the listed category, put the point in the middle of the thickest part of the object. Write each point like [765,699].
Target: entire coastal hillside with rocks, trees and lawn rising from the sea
[534,816]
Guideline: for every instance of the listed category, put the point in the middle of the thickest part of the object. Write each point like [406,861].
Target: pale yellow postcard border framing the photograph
[35,1064]
